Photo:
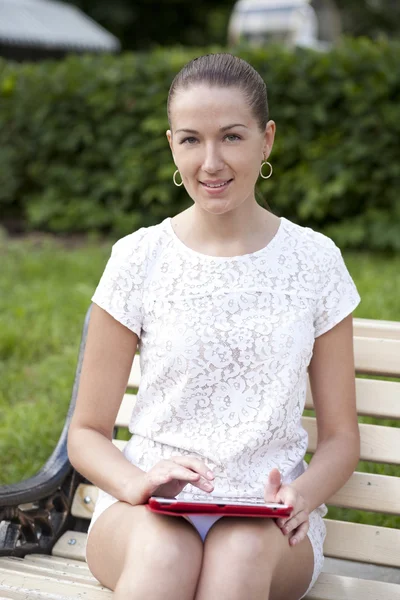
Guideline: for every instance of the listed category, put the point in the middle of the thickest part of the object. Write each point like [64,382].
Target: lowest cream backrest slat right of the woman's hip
[365,543]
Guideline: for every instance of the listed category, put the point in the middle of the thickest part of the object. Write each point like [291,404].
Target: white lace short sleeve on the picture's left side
[120,289]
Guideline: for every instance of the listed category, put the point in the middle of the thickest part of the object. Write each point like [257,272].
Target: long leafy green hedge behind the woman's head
[83,146]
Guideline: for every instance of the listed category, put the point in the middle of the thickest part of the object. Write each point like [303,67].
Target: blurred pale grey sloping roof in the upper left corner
[37,29]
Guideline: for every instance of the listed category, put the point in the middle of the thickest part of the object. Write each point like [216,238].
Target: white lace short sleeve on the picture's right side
[337,295]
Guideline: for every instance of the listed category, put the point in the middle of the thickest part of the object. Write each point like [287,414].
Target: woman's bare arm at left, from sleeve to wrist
[109,353]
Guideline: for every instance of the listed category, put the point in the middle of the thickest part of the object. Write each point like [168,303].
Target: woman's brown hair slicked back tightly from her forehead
[224,70]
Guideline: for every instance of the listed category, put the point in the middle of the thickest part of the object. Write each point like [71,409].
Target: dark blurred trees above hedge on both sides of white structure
[146,23]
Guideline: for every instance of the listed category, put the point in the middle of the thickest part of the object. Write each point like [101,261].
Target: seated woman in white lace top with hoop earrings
[230,306]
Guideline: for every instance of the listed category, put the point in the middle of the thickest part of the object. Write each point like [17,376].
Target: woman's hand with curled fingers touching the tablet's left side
[168,477]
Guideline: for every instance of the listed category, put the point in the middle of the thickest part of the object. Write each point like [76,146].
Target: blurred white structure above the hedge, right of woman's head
[311,23]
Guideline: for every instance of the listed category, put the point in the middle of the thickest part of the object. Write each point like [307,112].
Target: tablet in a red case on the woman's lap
[218,506]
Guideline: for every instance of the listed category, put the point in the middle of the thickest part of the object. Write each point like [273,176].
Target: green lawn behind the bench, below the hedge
[45,290]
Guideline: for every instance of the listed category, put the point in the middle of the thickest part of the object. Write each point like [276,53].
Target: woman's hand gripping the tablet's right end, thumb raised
[295,526]
